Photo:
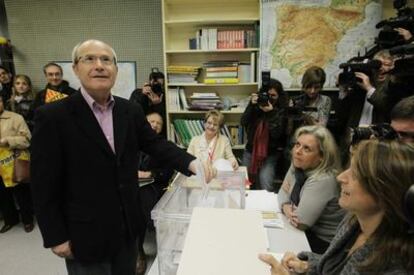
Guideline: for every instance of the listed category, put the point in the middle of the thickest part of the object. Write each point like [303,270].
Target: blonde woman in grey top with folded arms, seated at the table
[309,193]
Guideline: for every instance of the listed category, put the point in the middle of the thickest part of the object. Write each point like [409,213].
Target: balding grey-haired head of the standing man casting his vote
[95,68]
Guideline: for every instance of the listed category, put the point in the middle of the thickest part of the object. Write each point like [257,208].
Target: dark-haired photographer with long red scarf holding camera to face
[265,122]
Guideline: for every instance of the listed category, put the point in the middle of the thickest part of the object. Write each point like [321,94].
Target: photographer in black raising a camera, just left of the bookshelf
[151,97]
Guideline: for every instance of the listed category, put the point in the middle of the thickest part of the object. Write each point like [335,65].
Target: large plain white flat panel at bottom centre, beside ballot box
[222,242]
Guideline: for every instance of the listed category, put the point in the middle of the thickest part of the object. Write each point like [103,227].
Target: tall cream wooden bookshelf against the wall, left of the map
[184,20]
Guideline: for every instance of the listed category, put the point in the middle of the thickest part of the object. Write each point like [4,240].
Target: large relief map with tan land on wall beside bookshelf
[297,34]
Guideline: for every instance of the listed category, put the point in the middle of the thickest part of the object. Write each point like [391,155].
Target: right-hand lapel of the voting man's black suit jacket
[120,120]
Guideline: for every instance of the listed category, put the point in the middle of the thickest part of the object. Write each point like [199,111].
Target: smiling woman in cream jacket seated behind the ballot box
[212,145]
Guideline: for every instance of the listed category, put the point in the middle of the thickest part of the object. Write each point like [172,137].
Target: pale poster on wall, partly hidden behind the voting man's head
[126,80]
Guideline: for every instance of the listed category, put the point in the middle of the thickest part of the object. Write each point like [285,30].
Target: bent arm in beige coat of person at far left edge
[21,137]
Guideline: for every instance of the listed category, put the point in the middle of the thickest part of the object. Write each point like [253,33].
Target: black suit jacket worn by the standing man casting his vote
[82,191]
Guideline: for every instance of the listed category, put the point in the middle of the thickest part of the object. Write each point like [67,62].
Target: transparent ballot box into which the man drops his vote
[172,213]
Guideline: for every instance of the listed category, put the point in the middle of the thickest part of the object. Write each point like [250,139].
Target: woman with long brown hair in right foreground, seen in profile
[376,237]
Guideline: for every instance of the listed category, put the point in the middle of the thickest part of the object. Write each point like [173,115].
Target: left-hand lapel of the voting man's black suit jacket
[87,122]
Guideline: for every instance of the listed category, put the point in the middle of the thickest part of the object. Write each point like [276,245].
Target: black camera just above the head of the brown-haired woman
[380,131]
